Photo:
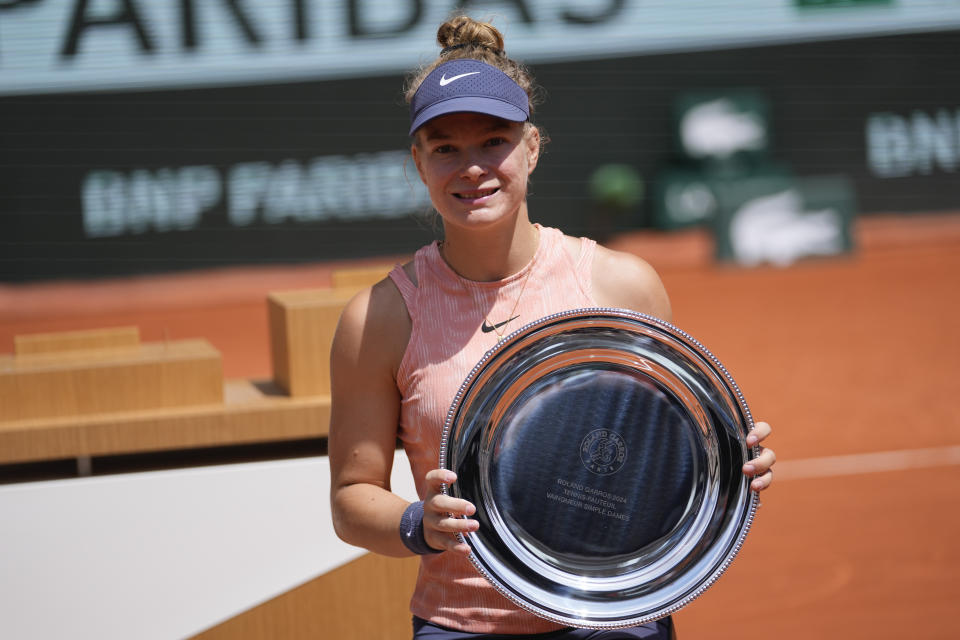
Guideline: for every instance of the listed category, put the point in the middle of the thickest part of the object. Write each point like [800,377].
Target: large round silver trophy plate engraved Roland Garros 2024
[602,449]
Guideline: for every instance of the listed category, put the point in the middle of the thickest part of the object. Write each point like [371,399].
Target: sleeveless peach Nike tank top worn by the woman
[446,342]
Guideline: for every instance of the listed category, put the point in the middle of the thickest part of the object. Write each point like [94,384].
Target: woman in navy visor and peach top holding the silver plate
[404,346]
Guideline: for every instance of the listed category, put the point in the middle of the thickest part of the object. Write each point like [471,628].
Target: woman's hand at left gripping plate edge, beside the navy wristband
[443,514]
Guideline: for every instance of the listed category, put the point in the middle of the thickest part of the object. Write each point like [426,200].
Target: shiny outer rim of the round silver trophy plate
[748,504]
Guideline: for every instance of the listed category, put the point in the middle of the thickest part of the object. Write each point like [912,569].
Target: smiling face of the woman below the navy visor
[476,166]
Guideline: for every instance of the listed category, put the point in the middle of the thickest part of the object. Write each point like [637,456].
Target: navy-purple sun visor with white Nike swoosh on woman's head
[468,85]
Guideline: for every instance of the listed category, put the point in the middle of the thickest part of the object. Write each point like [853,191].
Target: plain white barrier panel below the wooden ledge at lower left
[166,554]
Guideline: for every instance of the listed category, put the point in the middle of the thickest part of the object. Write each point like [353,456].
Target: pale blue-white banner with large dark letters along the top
[89,45]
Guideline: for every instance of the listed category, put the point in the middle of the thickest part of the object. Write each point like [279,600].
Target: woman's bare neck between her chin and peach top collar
[490,254]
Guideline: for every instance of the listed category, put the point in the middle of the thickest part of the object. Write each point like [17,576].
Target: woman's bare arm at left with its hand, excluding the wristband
[367,349]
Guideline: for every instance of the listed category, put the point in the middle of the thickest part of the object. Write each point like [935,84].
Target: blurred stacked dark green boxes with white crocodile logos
[725,176]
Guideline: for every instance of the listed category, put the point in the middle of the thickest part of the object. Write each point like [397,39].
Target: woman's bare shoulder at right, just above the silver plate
[626,281]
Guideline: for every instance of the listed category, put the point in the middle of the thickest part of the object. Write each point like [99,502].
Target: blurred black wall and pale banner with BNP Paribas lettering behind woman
[138,139]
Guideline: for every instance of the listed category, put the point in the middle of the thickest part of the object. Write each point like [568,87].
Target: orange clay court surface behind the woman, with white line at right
[852,359]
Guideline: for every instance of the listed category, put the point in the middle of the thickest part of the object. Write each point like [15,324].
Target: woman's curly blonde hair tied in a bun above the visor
[463,37]
